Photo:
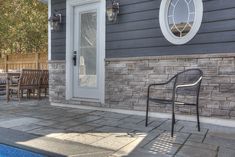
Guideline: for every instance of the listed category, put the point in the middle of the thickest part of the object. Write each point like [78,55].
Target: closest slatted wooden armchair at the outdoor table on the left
[29,80]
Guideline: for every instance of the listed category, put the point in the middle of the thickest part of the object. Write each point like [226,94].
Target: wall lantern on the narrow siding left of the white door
[55,21]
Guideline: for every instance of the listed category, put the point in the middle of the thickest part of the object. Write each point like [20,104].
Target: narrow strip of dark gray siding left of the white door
[58,38]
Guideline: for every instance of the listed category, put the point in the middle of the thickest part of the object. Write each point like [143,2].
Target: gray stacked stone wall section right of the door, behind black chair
[127,81]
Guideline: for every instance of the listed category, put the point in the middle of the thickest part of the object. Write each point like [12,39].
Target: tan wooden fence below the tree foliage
[17,62]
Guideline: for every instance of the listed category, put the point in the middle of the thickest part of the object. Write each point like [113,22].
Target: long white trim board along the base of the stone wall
[208,120]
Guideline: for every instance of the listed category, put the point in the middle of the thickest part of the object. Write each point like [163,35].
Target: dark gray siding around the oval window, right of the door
[138,33]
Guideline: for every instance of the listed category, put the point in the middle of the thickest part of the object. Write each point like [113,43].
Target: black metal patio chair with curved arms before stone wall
[185,83]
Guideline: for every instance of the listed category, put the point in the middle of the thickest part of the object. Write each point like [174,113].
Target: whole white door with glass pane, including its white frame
[85,50]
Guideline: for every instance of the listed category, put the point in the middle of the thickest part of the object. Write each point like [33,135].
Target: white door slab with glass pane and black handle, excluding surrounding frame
[87,56]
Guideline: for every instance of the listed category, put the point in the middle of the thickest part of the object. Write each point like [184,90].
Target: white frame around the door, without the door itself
[70,5]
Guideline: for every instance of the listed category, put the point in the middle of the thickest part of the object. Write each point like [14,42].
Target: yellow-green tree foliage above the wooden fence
[23,26]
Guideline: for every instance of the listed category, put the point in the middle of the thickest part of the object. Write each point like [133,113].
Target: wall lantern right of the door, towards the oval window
[112,11]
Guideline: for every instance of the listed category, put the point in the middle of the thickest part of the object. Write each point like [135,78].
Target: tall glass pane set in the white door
[88,50]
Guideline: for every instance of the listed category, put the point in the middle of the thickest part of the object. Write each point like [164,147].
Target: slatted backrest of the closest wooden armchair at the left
[30,77]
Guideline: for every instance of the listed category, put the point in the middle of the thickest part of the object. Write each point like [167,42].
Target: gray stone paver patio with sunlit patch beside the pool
[58,131]
